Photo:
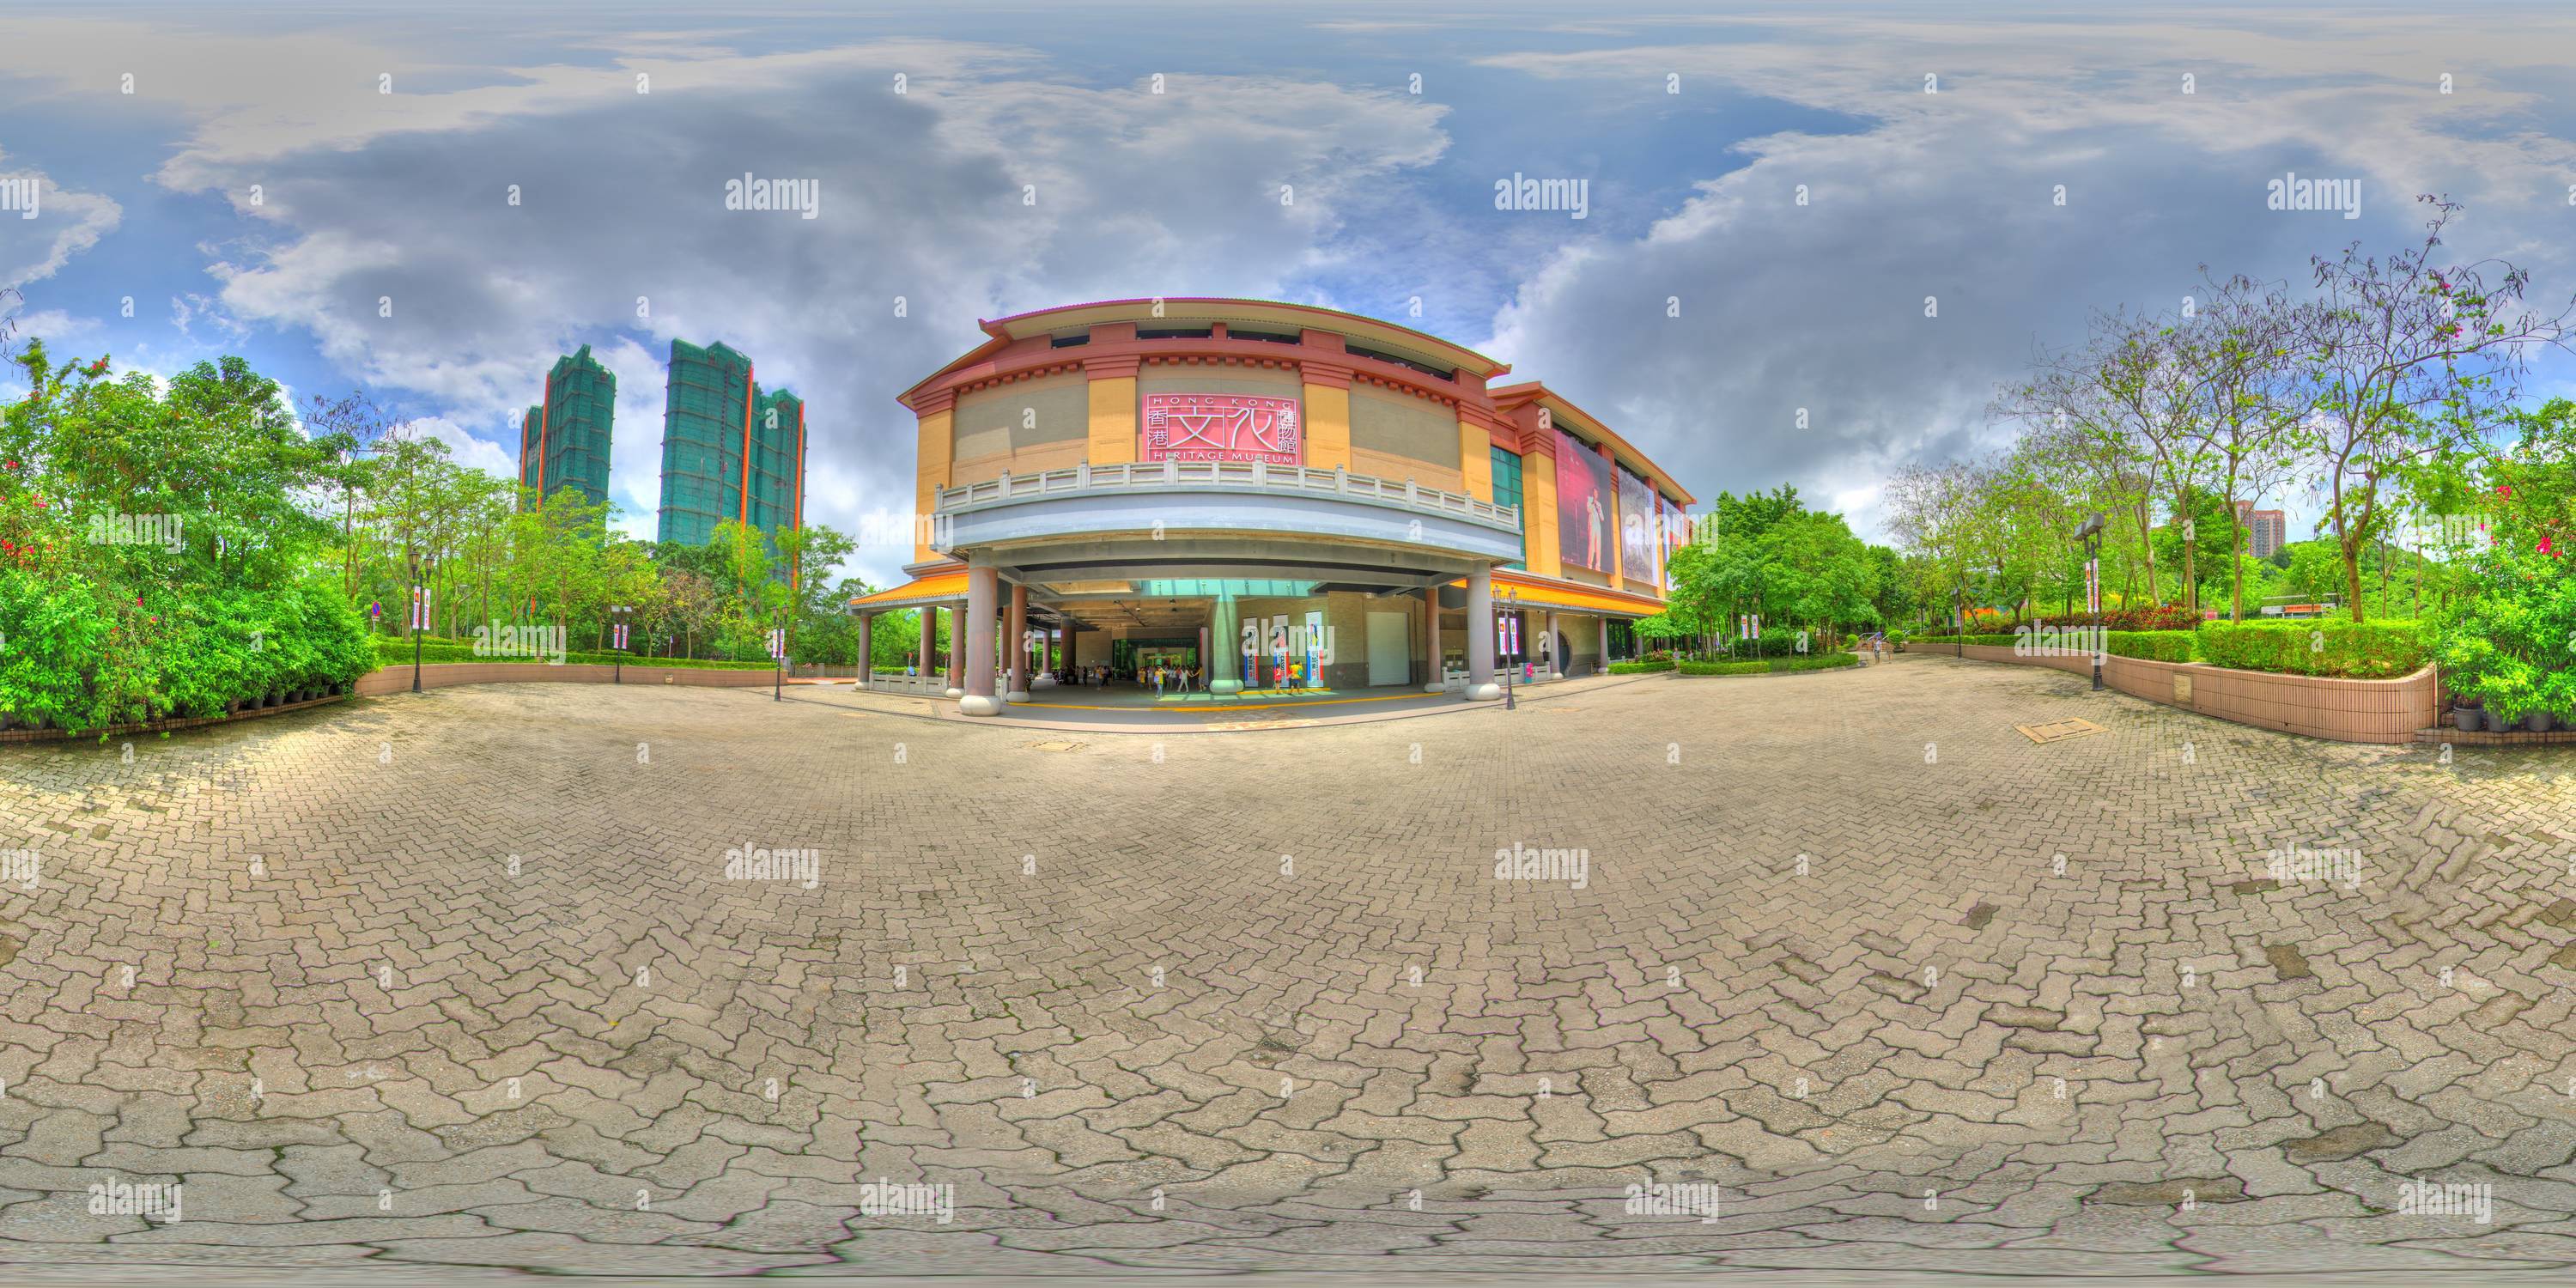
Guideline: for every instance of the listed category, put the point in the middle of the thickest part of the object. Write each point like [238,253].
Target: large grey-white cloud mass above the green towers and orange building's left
[965,197]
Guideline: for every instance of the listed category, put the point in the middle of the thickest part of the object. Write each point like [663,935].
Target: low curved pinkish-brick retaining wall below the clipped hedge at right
[2297,705]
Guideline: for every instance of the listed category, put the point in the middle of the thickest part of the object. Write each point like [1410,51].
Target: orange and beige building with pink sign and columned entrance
[1266,493]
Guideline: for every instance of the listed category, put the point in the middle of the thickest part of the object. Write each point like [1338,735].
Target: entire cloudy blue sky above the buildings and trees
[256,184]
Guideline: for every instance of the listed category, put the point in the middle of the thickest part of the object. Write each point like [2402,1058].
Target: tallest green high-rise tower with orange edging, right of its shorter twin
[730,452]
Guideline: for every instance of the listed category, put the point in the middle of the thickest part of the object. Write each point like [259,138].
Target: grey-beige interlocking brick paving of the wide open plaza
[462,983]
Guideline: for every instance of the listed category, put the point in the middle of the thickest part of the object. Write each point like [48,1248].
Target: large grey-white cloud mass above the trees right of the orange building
[1951,194]
